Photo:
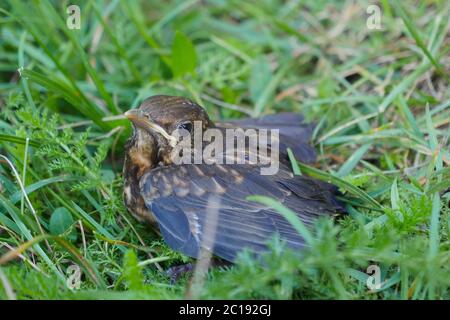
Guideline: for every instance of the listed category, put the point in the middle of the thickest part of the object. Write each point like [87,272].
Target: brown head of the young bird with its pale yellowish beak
[155,121]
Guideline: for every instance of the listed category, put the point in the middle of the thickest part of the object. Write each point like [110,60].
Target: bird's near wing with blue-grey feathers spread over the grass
[185,199]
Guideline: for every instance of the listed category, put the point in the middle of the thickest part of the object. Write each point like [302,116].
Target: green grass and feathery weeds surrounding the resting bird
[380,100]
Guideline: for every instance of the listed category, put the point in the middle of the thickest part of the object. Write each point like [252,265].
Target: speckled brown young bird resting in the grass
[181,198]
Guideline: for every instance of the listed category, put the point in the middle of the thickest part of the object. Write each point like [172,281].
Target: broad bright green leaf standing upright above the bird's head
[184,57]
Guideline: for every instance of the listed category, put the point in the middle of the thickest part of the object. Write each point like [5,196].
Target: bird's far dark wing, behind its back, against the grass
[294,132]
